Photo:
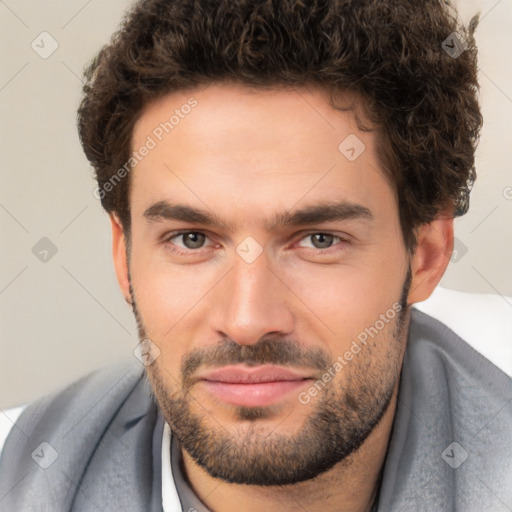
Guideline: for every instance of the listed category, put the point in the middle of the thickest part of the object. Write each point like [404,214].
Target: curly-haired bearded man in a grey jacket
[281,180]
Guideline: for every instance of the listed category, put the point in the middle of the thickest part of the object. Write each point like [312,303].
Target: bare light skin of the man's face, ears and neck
[273,151]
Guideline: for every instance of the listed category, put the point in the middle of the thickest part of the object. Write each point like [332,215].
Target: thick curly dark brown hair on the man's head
[393,54]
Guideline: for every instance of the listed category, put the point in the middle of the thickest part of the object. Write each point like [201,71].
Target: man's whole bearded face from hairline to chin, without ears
[268,267]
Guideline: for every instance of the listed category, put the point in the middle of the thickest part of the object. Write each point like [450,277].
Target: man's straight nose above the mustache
[251,302]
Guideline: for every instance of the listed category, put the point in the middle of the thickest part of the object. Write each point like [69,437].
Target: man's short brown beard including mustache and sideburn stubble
[342,420]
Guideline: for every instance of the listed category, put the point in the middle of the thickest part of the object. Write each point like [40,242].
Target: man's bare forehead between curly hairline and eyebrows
[238,149]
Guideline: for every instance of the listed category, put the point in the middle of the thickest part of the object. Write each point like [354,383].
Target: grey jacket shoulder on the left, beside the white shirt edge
[96,433]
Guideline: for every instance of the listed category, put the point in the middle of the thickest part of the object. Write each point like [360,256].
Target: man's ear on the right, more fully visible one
[431,257]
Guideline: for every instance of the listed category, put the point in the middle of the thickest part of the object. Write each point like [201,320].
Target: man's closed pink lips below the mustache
[253,386]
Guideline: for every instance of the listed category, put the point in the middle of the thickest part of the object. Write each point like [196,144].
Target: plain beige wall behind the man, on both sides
[63,317]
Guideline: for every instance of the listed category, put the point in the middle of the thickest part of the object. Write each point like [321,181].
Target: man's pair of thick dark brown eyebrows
[325,212]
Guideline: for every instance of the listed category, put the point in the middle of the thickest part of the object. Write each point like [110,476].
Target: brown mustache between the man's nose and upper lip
[269,350]
